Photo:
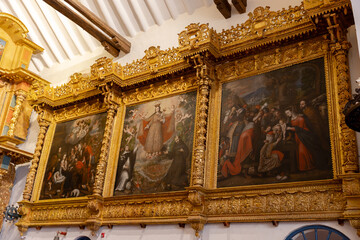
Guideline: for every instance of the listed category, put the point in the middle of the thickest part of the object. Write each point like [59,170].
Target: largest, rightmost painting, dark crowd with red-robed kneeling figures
[274,127]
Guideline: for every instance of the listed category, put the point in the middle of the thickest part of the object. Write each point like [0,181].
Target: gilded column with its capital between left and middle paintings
[112,102]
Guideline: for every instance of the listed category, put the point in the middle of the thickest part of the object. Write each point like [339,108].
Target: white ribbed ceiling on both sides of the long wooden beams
[64,41]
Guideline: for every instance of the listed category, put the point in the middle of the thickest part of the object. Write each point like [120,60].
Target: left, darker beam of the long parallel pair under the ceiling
[111,44]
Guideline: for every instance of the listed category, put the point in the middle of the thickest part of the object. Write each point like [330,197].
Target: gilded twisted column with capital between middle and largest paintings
[204,83]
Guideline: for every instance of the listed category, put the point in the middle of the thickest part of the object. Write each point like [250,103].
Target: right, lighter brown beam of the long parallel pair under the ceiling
[117,39]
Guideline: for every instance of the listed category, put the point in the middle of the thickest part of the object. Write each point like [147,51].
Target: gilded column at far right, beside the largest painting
[339,47]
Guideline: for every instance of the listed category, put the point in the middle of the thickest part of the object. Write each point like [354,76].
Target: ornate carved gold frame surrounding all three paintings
[204,60]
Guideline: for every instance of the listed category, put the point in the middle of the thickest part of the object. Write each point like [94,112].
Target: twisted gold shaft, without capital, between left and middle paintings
[101,168]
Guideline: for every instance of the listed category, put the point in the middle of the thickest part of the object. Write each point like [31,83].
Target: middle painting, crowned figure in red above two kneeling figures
[156,146]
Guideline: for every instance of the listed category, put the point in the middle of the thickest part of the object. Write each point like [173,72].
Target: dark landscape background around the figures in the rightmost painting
[280,89]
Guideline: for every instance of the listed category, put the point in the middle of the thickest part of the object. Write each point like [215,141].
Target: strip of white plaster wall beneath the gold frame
[236,231]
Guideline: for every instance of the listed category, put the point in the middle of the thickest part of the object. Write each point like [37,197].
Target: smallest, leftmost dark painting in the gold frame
[74,154]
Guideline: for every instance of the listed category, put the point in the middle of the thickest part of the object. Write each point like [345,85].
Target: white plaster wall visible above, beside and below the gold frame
[165,36]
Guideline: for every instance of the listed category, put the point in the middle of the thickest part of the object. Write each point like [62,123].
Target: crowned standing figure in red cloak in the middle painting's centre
[155,130]
